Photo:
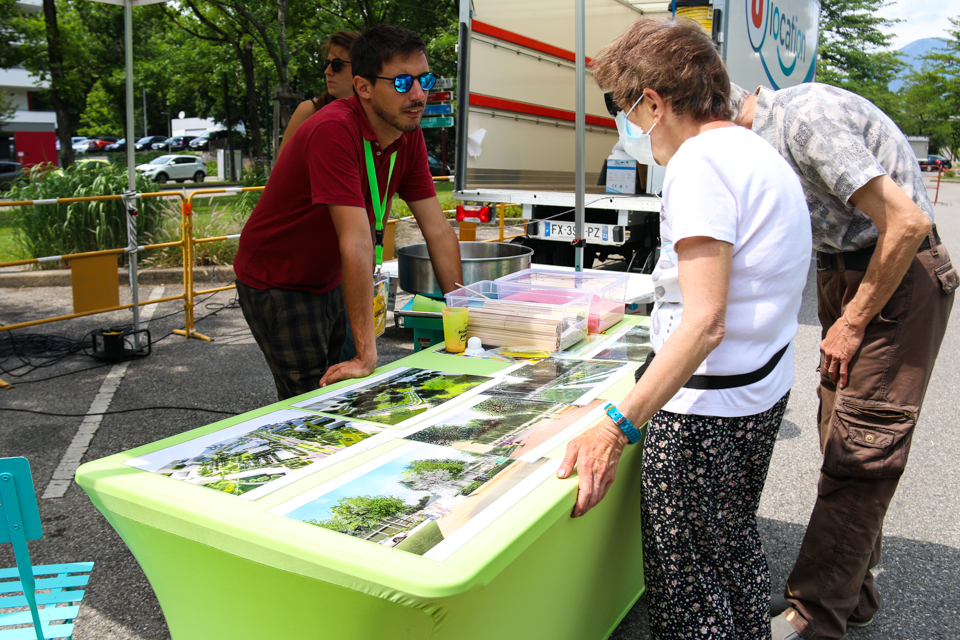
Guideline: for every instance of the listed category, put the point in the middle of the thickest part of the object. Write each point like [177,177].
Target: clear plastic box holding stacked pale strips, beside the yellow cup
[514,316]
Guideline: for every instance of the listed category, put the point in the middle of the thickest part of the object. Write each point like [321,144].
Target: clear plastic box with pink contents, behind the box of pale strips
[608,291]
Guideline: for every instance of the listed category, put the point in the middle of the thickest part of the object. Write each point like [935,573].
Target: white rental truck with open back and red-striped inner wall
[516,83]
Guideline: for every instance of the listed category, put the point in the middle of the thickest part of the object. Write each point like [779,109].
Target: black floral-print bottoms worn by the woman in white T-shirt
[704,568]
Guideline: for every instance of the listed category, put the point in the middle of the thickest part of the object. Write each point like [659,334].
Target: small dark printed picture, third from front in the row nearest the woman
[559,380]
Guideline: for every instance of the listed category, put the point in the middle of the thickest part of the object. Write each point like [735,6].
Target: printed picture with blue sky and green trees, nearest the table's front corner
[418,497]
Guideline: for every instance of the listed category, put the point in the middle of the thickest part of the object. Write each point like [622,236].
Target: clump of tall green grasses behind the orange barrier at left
[58,229]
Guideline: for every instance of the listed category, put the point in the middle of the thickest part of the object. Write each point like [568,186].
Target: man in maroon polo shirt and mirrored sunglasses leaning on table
[306,255]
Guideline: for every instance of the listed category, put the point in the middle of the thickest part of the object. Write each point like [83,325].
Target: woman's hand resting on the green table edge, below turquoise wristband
[596,453]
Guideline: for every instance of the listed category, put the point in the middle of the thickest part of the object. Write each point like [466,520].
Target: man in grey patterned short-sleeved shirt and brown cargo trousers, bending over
[884,290]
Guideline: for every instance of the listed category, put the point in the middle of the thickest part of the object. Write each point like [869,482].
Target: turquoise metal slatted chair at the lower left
[53,601]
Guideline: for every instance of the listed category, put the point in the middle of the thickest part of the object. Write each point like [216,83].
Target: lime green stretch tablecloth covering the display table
[223,567]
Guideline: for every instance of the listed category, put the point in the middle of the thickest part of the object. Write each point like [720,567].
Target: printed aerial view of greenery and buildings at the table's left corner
[261,455]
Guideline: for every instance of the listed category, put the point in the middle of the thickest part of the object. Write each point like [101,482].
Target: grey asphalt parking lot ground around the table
[916,576]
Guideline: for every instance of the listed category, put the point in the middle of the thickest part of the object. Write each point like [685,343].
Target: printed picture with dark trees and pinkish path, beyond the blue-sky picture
[498,425]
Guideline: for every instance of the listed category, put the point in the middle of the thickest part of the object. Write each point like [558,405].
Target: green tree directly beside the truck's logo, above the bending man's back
[854,50]
